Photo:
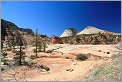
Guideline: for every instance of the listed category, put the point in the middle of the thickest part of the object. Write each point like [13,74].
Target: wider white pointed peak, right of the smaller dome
[90,30]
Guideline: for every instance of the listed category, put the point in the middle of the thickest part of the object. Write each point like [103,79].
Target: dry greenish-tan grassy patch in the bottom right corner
[110,71]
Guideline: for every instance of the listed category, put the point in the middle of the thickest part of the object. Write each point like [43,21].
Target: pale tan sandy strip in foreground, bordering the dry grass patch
[75,71]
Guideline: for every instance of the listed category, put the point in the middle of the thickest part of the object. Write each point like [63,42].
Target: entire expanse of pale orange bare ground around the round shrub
[62,69]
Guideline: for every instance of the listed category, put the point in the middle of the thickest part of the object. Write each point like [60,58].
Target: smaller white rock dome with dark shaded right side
[69,32]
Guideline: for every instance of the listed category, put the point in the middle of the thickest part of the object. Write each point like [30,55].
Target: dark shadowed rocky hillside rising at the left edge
[11,31]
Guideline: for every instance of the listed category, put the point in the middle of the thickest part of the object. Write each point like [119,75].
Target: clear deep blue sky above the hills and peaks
[52,18]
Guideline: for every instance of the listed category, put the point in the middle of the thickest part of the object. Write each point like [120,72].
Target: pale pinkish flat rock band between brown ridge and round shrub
[85,49]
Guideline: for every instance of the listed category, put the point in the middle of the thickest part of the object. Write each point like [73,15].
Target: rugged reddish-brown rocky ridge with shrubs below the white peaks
[99,38]
